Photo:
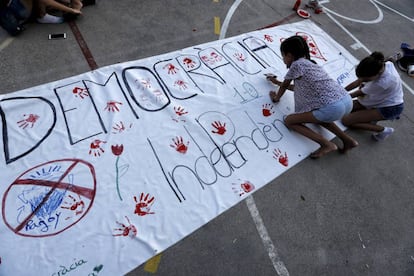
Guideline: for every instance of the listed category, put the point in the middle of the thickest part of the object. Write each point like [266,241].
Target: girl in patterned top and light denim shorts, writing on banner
[318,98]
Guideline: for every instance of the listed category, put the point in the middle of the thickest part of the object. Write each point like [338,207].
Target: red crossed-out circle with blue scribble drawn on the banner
[49,198]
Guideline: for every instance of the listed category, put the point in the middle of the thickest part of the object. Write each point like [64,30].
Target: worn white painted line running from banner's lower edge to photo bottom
[279,266]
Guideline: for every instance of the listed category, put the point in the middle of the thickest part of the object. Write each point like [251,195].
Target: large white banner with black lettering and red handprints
[104,170]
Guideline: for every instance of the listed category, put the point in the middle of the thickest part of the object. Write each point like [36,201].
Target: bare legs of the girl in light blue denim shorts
[296,122]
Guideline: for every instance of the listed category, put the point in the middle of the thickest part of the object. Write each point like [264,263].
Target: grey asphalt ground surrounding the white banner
[340,215]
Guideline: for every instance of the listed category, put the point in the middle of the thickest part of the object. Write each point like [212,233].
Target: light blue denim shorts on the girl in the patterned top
[334,111]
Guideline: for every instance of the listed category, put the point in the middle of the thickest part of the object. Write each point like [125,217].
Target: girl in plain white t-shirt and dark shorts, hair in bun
[379,96]
